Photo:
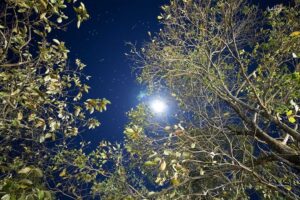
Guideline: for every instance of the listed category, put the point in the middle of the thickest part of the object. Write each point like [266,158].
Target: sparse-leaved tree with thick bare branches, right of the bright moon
[234,71]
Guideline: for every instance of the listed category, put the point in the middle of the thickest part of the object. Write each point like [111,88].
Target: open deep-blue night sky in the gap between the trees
[100,43]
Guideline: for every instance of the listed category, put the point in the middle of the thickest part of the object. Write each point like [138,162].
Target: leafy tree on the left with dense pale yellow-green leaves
[42,111]
